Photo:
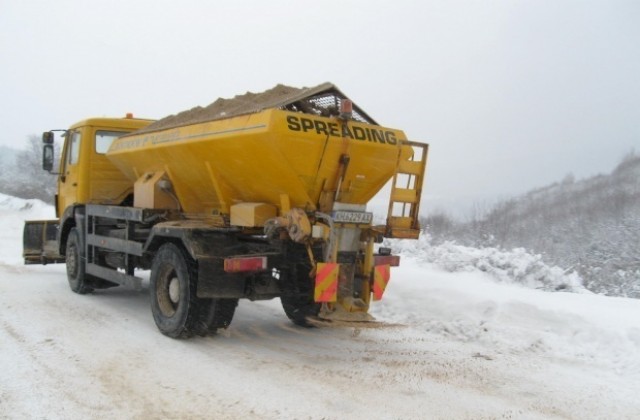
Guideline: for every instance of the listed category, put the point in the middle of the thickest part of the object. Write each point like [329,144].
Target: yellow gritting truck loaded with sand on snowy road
[256,197]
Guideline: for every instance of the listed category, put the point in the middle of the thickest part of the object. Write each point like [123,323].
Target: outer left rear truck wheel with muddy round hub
[174,303]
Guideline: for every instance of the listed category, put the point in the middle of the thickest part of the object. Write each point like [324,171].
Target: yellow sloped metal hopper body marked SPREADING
[258,157]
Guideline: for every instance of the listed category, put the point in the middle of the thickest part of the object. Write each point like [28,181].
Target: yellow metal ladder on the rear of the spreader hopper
[404,202]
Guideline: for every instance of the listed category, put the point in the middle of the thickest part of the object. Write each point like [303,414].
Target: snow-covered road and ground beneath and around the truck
[469,345]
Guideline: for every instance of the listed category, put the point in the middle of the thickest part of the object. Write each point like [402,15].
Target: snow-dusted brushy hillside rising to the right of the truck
[590,226]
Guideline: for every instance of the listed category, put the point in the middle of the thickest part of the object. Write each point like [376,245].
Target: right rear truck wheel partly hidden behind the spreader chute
[300,307]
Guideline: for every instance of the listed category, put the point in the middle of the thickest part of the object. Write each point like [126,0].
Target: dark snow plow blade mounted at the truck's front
[39,242]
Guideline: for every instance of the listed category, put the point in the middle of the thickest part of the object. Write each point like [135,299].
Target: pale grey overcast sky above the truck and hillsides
[511,95]
